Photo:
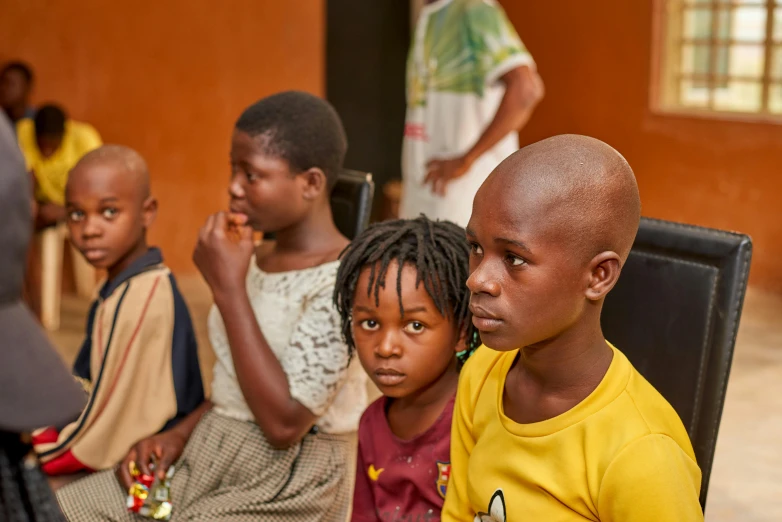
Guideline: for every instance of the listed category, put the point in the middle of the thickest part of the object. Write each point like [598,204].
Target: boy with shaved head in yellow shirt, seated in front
[551,422]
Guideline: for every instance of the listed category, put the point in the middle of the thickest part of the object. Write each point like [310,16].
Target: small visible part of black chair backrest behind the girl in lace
[351,202]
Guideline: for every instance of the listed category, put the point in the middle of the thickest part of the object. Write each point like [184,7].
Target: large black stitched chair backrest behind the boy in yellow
[675,313]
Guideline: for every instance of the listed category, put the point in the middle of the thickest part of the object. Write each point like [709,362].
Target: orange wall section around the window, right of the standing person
[595,59]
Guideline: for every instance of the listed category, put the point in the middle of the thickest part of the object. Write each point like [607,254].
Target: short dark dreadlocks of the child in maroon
[438,252]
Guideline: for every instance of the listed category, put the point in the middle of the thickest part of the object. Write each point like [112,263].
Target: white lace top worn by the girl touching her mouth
[299,321]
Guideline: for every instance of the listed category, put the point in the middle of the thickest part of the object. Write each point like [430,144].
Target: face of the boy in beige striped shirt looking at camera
[107,215]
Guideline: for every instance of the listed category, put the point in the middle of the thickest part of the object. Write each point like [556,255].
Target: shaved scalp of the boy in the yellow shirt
[583,187]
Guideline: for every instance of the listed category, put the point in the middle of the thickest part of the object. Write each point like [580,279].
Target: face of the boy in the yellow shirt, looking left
[527,285]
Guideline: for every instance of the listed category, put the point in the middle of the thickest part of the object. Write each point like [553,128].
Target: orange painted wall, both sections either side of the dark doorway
[169,78]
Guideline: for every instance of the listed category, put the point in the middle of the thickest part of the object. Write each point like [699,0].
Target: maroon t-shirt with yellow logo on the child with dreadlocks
[401,480]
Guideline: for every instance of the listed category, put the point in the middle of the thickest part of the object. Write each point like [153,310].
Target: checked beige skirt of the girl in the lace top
[229,472]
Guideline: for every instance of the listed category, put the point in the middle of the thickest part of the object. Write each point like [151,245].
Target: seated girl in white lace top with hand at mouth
[278,443]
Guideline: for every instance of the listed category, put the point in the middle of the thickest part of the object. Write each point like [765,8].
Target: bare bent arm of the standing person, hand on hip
[523,91]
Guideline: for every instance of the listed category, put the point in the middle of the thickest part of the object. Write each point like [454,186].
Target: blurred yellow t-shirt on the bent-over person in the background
[52,173]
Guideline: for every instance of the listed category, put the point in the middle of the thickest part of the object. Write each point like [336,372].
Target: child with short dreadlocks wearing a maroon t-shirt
[405,309]
